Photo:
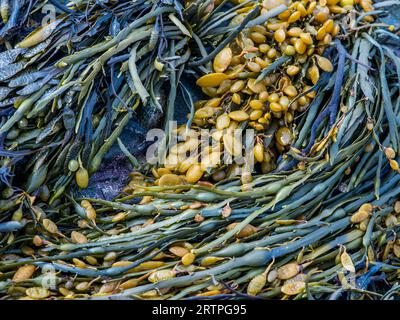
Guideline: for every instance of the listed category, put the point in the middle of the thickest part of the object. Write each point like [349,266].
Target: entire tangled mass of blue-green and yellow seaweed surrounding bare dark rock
[321,222]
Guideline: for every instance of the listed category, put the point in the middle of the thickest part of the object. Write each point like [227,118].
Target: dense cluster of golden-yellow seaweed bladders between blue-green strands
[262,79]
